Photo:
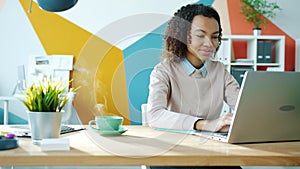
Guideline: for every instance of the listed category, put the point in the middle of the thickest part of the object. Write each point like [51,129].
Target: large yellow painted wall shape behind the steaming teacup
[95,61]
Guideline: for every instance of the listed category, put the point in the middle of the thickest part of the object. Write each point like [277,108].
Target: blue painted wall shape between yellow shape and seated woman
[139,60]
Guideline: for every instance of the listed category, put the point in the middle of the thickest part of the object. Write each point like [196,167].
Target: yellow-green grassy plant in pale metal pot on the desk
[45,100]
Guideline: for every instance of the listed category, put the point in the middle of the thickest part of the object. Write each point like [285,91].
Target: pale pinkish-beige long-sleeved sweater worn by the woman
[177,99]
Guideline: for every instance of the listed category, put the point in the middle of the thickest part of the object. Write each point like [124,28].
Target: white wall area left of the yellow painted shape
[18,41]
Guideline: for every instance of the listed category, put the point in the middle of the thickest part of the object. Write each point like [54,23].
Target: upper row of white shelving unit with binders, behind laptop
[247,46]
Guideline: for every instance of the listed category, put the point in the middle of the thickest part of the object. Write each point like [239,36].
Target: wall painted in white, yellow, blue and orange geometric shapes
[114,46]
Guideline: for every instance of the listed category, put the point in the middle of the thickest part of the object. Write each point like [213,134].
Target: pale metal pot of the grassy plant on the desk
[44,125]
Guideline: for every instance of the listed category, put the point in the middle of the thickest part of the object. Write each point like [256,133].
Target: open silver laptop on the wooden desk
[267,110]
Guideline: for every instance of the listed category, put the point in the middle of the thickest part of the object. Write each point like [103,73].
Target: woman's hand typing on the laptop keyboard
[221,124]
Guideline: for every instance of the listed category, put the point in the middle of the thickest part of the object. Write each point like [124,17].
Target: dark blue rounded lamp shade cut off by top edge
[54,5]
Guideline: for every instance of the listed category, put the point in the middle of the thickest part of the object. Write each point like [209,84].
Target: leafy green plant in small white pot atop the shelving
[255,10]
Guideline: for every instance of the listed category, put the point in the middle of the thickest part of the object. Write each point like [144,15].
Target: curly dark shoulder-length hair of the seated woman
[179,28]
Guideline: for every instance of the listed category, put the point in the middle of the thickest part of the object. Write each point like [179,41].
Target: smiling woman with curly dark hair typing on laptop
[187,88]
